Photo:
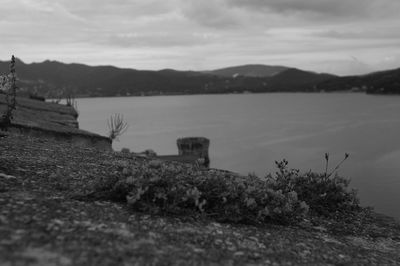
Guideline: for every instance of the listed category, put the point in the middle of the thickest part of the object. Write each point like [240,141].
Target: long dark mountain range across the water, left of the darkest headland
[52,79]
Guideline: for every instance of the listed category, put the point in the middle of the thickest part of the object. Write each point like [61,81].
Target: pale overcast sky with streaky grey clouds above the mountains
[342,37]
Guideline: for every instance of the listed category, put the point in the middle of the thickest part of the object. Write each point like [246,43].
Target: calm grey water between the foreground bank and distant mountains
[249,132]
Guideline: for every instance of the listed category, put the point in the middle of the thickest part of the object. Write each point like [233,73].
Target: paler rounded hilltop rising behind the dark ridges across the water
[248,71]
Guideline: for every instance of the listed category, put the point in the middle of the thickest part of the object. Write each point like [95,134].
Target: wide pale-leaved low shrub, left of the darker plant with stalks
[181,189]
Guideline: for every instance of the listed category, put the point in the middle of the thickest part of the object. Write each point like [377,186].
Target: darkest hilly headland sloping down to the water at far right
[382,82]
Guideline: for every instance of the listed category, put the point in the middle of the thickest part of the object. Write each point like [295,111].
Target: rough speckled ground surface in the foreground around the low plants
[45,219]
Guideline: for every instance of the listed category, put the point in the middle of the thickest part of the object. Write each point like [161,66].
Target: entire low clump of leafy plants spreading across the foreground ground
[284,198]
